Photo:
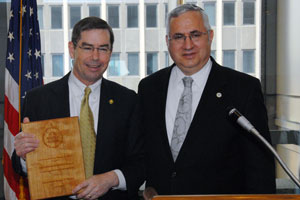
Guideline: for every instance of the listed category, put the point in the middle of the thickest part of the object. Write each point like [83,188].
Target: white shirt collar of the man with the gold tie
[78,87]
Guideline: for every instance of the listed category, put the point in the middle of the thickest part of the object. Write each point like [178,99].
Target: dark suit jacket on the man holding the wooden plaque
[118,145]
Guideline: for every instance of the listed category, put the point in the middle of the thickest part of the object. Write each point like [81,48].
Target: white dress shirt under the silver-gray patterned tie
[175,90]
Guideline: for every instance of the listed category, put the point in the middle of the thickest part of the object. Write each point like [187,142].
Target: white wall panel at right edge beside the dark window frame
[288,64]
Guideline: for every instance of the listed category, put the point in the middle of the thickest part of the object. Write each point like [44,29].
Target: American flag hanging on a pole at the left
[23,71]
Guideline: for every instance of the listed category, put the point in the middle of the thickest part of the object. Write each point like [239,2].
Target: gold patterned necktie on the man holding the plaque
[87,132]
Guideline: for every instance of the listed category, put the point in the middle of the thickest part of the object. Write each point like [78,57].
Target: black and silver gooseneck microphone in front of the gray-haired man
[237,117]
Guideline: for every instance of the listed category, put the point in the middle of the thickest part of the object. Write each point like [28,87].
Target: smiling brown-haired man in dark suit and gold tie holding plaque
[105,108]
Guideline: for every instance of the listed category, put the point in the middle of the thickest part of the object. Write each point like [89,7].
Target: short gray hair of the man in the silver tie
[183,9]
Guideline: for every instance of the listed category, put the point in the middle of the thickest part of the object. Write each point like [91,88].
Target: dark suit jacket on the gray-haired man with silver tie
[217,156]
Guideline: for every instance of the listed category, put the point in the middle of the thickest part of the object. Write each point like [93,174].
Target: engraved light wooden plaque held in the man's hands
[56,166]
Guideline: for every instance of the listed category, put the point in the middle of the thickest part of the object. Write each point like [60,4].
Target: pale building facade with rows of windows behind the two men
[139,27]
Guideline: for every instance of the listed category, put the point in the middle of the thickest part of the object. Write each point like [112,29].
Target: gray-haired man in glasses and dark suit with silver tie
[191,146]
